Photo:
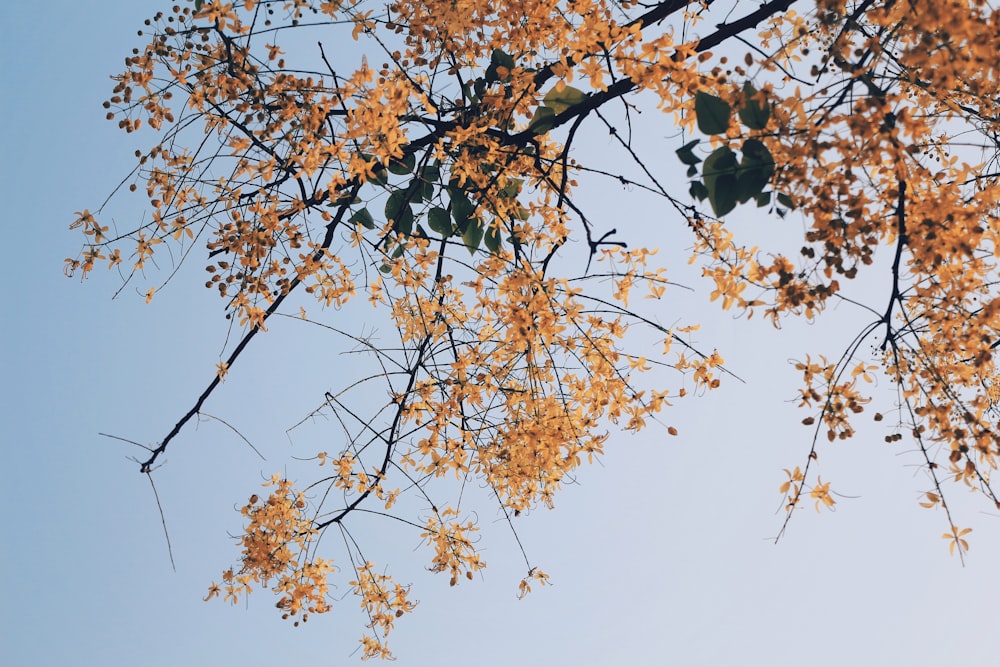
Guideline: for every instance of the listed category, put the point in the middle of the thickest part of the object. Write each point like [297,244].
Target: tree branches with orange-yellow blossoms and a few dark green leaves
[441,185]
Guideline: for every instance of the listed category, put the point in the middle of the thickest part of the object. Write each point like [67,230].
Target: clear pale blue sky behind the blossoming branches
[662,554]
